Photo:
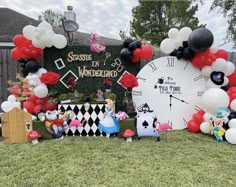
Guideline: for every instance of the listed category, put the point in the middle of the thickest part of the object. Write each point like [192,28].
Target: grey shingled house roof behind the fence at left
[12,23]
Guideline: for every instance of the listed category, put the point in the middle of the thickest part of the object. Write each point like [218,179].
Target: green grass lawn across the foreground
[185,159]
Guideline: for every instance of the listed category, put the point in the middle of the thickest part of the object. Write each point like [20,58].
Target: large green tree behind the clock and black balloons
[153,19]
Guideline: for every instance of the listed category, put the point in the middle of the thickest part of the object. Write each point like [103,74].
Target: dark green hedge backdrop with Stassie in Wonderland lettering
[89,69]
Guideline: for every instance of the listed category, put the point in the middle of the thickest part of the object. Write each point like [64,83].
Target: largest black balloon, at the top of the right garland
[200,39]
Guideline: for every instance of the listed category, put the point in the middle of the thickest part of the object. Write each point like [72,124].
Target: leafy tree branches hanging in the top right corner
[228,8]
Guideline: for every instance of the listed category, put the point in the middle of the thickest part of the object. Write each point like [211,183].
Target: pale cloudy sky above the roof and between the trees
[107,17]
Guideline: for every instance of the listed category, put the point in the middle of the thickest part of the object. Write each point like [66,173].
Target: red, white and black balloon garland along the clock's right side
[219,100]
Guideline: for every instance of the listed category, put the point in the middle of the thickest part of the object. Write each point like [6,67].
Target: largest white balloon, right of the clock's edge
[214,98]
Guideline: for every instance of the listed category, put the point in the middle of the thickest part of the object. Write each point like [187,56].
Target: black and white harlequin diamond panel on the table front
[93,115]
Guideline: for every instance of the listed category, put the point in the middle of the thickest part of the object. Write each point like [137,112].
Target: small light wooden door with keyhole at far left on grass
[16,125]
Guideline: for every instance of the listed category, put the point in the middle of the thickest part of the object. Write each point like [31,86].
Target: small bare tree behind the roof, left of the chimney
[54,18]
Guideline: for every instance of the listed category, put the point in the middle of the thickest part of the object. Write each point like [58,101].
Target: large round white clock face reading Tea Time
[172,88]
